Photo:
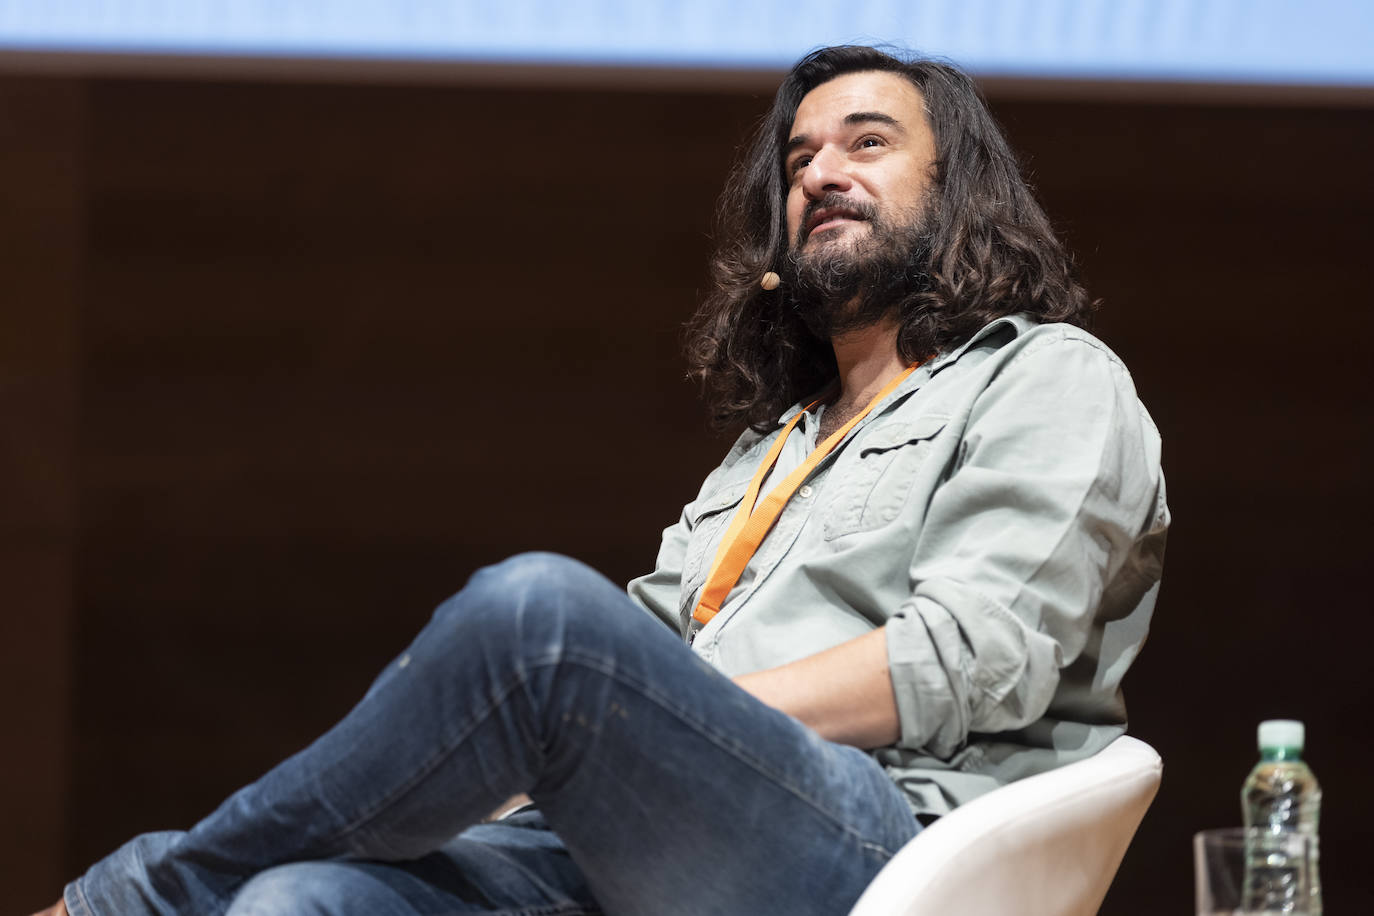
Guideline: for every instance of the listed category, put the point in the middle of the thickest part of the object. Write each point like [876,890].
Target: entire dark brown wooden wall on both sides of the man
[282,365]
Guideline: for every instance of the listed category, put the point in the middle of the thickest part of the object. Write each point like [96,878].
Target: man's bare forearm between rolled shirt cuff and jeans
[844,694]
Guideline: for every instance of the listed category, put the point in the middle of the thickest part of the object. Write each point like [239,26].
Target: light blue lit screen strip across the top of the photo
[1295,42]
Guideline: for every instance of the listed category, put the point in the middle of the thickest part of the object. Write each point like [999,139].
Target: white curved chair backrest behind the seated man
[1048,845]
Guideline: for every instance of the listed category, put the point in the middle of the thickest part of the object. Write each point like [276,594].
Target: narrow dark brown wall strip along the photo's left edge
[41,240]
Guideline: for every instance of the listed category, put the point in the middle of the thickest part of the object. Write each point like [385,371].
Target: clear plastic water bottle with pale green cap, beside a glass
[1281,796]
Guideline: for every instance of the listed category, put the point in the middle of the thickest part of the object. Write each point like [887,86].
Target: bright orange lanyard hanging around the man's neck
[751,525]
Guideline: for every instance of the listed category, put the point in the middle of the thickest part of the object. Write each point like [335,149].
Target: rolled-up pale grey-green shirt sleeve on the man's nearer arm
[1052,490]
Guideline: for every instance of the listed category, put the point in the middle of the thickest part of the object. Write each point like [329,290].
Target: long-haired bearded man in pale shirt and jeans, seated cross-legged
[923,582]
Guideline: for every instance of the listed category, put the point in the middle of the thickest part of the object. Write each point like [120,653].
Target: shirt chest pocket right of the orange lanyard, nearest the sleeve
[872,483]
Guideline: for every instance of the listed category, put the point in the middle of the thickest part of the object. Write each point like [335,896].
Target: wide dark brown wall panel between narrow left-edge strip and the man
[346,347]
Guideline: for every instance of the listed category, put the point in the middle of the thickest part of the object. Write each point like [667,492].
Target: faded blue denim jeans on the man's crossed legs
[662,788]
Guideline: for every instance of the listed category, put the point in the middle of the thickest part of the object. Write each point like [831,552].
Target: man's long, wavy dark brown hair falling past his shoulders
[994,252]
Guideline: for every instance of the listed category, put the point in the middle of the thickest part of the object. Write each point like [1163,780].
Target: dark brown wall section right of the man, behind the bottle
[1232,247]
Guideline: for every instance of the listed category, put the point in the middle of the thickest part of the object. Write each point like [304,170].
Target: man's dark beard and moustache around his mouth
[846,285]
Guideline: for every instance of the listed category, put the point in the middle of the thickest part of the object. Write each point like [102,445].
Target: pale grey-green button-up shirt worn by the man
[1002,514]
